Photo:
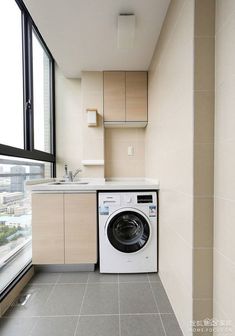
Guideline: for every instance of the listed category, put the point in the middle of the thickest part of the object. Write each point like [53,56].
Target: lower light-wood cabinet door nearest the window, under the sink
[47,229]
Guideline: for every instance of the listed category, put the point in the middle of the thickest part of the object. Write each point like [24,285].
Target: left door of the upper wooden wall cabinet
[114,96]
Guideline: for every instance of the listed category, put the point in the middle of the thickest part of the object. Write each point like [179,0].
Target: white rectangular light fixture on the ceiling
[126,31]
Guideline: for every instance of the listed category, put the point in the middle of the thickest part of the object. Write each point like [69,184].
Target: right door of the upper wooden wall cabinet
[136,96]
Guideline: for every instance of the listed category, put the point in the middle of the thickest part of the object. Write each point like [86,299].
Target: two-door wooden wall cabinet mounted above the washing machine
[125,99]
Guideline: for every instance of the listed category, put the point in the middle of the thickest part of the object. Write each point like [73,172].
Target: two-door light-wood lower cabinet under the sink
[64,228]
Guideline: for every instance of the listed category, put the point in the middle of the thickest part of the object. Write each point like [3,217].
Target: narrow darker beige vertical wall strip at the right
[204,33]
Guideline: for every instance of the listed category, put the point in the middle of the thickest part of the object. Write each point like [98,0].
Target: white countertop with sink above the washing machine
[96,184]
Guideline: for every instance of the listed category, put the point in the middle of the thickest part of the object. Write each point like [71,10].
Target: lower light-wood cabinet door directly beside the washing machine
[80,228]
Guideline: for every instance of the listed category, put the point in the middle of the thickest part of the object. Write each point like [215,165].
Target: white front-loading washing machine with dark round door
[128,234]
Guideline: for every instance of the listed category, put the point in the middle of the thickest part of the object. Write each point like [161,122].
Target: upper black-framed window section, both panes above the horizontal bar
[27,116]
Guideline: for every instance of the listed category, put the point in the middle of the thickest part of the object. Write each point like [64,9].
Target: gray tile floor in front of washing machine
[92,304]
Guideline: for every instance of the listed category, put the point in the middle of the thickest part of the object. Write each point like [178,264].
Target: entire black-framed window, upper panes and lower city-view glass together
[27,135]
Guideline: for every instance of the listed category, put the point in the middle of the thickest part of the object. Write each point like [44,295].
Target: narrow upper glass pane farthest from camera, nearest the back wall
[41,97]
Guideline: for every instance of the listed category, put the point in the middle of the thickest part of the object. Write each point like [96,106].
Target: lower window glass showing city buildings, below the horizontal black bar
[15,214]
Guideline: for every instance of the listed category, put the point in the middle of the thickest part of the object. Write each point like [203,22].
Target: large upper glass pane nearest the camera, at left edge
[11,79]
